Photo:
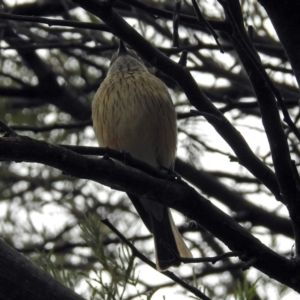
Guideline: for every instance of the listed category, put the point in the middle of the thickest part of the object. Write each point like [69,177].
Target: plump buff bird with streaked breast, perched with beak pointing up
[133,112]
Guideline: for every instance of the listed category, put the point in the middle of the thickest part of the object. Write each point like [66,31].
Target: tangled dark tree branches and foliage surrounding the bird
[233,71]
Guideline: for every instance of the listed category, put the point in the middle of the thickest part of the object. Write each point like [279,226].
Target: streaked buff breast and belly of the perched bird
[133,111]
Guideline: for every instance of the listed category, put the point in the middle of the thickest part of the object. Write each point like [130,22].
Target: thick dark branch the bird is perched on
[174,194]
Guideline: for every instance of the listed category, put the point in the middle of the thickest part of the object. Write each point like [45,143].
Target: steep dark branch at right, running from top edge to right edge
[285,171]
